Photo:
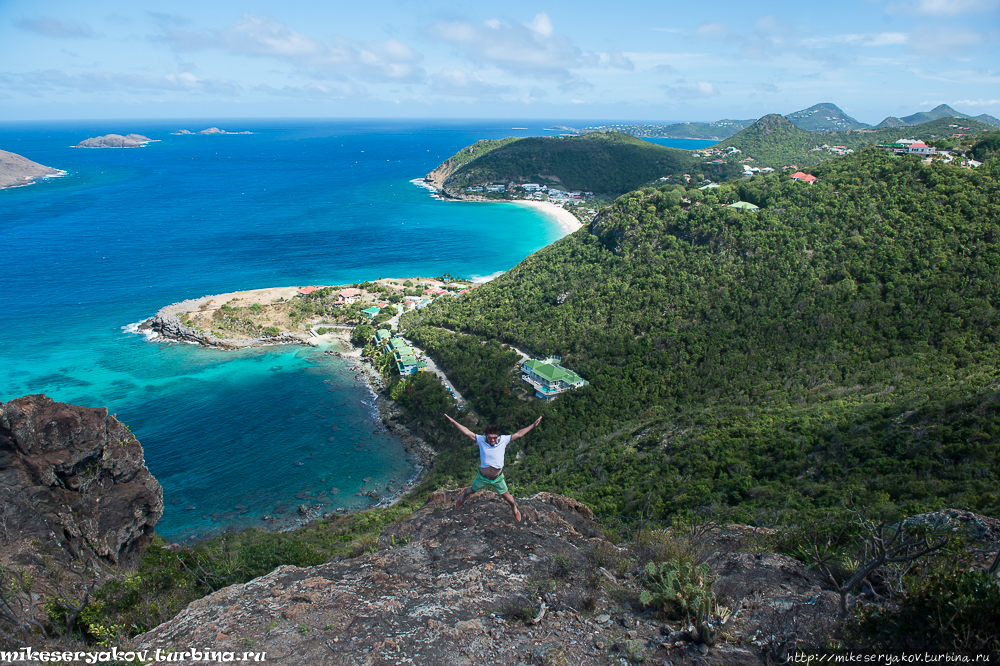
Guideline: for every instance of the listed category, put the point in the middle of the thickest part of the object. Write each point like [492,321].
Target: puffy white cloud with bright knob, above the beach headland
[530,49]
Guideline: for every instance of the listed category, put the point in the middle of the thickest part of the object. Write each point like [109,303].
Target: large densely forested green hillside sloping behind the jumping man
[839,343]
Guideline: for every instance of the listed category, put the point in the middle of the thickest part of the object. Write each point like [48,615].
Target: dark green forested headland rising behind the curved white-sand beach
[602,163]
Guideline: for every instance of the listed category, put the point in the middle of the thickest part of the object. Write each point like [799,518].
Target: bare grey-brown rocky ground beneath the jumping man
[473,586]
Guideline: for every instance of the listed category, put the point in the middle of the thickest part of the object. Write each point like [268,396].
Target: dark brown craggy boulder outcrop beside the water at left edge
[73,480]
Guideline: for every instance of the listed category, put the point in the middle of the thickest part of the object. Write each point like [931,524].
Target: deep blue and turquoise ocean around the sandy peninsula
[297,202]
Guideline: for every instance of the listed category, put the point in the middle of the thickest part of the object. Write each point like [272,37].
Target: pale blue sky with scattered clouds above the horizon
[653,61]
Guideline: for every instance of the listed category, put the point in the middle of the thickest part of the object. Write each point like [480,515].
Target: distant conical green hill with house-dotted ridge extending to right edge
[775,141]
